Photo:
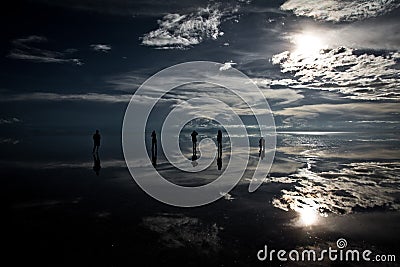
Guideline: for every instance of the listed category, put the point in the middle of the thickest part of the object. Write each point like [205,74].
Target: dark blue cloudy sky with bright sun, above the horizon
[72,66]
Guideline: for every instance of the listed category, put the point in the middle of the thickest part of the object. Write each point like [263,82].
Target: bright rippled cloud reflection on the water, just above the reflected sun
[348,188]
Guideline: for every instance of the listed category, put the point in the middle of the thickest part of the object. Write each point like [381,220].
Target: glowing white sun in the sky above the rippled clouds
[307,44]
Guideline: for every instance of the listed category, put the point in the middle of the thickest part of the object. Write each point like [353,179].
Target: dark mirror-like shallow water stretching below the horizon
[322,187]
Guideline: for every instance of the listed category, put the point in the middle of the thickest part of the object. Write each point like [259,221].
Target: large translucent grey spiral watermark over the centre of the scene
[154,91]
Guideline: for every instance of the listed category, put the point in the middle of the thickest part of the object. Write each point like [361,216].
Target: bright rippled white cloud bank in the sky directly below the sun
[355,73]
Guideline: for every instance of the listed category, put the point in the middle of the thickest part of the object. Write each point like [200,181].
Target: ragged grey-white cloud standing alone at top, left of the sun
[182,31]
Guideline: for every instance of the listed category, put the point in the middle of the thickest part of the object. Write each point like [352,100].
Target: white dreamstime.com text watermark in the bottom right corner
[340,253]
